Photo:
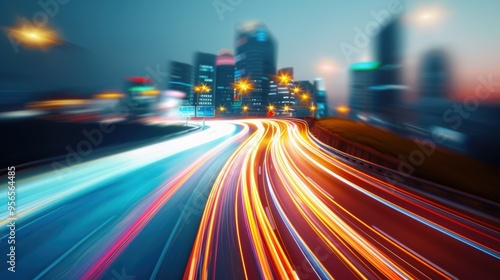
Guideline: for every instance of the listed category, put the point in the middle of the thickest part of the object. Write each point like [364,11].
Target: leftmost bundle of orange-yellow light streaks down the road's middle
[270,257]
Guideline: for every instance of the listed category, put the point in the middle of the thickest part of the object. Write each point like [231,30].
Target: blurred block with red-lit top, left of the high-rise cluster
[141,96]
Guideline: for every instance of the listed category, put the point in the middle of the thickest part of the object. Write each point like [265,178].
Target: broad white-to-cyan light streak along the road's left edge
[40,191]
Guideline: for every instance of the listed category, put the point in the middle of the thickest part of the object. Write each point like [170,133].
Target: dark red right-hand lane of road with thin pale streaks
[436,235]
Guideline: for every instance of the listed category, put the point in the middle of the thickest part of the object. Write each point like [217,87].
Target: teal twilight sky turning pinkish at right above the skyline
[108,40]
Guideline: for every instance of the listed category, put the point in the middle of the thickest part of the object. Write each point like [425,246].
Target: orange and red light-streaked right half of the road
[294,210]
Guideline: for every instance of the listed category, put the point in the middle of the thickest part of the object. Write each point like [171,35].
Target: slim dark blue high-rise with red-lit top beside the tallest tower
[224,92]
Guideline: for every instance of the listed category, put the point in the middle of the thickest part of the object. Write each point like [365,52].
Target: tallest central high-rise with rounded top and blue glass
[256,60]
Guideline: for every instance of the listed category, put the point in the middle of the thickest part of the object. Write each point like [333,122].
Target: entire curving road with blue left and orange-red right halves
[254,199]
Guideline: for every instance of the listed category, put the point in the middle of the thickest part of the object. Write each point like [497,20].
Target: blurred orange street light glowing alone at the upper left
[33,36]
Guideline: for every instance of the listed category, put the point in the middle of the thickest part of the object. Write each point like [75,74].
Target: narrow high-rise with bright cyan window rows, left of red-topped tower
[204,73]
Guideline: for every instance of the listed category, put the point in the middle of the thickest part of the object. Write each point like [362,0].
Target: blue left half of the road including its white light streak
[65,225]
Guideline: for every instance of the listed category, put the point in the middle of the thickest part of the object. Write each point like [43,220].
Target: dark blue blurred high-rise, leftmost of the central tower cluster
[181,79]
